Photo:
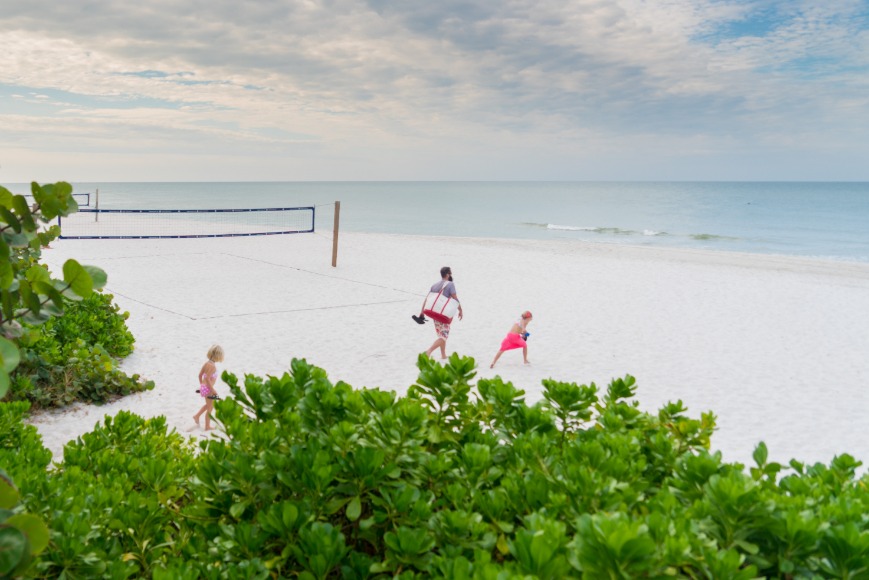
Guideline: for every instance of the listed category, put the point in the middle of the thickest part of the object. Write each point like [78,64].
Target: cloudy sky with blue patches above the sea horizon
[351,90]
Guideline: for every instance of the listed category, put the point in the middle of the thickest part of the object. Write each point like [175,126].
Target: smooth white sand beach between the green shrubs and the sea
[776,347]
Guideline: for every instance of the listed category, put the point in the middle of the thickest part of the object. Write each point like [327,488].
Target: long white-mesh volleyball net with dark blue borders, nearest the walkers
[95,224]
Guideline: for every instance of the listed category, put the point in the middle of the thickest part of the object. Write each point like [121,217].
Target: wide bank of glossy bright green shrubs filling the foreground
[459,478]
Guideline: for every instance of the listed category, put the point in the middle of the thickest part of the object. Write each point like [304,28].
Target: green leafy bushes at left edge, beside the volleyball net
[61,337]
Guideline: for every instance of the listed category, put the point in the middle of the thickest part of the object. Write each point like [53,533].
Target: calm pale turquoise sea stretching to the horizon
[826,220]
